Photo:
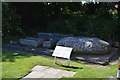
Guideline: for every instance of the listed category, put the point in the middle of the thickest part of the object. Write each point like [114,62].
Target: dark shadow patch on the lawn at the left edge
[9,56]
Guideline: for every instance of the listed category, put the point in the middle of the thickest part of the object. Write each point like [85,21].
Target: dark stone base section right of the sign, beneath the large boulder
[100,59]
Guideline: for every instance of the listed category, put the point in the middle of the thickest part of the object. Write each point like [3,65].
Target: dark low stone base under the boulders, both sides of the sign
[92,58]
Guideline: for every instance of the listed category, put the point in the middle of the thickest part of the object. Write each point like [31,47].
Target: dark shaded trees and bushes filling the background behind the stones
[91,20]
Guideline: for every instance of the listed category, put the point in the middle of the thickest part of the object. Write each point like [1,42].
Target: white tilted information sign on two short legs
[63,52]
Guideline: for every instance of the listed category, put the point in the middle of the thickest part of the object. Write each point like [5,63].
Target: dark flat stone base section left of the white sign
[28,49]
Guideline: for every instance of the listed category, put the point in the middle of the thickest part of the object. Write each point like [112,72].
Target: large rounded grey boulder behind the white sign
[85,45]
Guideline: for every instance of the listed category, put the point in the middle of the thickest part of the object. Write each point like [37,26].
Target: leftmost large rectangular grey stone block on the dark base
[32,42]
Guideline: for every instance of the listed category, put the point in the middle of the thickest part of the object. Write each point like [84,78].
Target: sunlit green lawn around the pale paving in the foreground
[17,65]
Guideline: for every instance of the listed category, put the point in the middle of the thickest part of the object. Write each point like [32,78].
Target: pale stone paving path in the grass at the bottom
[48,72]
